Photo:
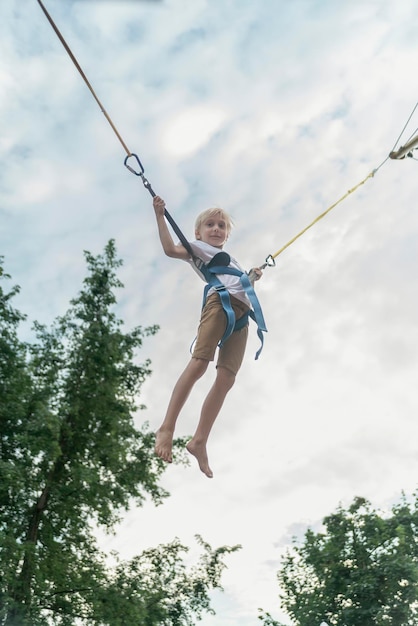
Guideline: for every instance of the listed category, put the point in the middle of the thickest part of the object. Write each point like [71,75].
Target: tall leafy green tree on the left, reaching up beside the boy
[71,457]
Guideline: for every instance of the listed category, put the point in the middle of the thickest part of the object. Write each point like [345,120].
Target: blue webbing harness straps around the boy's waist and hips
[210,272]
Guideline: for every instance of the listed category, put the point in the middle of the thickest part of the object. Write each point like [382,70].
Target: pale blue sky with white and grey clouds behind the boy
[272,110]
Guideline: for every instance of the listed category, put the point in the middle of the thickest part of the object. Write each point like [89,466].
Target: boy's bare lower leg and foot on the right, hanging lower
[210,410]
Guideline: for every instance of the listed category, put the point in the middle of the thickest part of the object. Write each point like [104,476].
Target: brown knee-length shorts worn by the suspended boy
[211,329]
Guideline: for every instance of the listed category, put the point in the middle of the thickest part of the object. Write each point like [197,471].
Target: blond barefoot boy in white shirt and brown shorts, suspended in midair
[212,229]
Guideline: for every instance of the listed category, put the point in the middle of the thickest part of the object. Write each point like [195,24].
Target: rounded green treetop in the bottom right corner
[362,569]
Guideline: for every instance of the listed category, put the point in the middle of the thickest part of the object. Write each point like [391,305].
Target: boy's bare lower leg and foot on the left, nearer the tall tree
[164,436]
